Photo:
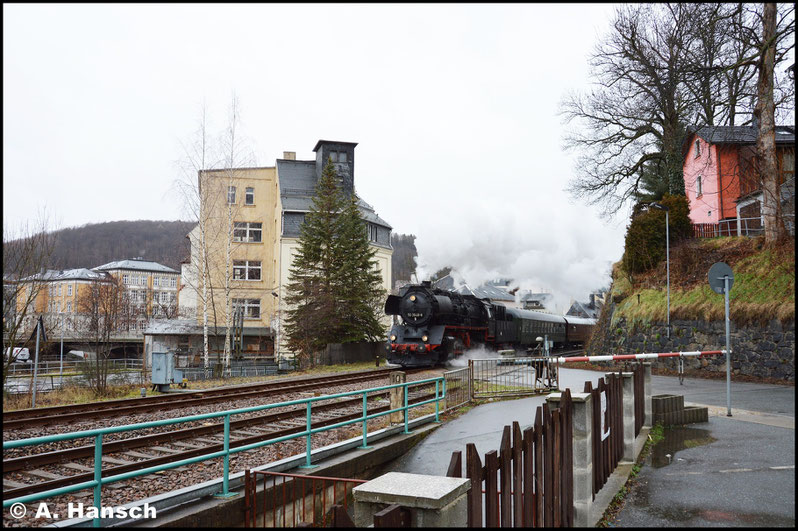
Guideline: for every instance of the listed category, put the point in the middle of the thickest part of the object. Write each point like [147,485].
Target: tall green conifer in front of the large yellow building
[334,289]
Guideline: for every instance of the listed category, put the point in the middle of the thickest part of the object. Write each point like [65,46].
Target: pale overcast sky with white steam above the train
[453,107]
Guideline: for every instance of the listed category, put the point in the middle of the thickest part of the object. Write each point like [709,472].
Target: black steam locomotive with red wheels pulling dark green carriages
[438,325]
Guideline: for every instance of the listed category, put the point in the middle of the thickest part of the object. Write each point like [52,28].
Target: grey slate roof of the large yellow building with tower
[297,180]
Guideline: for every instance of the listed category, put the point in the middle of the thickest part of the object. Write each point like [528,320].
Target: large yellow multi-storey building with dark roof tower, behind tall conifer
[267,206]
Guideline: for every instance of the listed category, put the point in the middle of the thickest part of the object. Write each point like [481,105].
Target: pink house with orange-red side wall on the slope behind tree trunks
[721,179]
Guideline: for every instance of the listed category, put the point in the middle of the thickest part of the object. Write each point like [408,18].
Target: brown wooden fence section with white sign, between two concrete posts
[607,400]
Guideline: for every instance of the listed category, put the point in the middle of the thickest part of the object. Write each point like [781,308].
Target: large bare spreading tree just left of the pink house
[635,116]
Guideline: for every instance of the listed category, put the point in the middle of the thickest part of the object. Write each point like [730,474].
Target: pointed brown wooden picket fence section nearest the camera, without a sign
[529,481]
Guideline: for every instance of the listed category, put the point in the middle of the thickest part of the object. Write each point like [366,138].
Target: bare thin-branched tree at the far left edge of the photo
[27,250]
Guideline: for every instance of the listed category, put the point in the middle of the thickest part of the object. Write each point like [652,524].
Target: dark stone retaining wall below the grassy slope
[761,351]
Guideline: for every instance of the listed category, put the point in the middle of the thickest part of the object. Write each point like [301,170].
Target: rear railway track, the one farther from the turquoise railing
[58,415]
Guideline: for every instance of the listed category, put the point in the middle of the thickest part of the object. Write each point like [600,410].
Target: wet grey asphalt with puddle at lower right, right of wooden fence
[736,471]
